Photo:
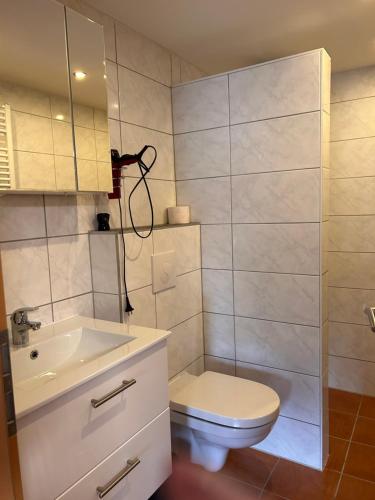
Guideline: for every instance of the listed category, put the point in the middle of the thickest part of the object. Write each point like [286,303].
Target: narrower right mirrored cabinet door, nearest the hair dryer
[89,97]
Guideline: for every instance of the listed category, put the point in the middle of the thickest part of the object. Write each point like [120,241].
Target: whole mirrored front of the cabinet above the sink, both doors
[42,147]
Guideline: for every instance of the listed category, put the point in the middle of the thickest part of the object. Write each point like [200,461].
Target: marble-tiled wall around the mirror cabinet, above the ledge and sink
[44,239]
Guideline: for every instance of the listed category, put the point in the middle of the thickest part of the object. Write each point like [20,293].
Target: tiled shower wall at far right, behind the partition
[352,231]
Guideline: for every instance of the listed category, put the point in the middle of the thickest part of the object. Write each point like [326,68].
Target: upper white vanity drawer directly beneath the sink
[65,439]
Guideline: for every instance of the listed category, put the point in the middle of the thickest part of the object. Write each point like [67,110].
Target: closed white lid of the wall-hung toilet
[226,400]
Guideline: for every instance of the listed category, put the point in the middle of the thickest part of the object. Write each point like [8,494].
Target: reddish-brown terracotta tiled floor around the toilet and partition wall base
[349,474]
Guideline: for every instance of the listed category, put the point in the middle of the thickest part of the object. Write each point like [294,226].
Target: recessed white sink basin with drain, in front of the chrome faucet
[45,360]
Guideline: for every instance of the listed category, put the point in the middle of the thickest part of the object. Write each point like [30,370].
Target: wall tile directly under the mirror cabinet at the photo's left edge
[13,223]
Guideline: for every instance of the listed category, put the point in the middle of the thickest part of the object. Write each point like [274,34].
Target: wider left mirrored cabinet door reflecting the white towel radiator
[36,139]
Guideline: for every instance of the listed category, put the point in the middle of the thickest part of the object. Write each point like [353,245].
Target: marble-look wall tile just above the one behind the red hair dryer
[144,102]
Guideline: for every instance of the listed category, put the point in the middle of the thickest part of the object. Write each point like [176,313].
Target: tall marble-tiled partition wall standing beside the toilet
[250,160]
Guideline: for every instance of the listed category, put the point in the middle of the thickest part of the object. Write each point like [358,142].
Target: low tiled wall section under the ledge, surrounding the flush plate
[178,309]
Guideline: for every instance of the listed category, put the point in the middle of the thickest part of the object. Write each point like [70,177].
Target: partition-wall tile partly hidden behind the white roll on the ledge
[209,199]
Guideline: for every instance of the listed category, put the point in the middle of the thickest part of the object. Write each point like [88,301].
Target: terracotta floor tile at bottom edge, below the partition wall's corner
[297,482]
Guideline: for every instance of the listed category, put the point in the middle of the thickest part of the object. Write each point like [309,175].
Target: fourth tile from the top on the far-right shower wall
[352,196]
